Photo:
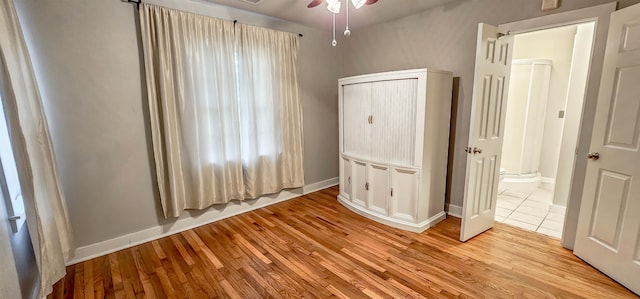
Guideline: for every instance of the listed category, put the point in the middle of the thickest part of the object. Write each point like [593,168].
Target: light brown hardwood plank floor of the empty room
[312,247]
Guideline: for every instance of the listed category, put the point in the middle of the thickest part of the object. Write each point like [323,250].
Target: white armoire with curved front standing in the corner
[394,138]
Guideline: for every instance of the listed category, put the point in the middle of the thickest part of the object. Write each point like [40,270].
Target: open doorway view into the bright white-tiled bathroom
[549,73]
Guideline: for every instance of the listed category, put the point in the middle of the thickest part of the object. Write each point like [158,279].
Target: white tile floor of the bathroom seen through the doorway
[530,209]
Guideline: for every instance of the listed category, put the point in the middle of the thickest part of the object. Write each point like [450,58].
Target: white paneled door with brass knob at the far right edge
[608,235]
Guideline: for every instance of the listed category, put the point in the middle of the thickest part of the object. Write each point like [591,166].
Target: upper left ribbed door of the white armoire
[356,112]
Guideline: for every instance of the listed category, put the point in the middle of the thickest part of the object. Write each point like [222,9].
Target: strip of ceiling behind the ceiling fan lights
[319,17]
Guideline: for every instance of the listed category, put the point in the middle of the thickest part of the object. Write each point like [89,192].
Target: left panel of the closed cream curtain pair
[190,69]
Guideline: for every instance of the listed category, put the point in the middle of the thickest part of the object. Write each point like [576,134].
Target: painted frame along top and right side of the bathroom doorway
[600,14]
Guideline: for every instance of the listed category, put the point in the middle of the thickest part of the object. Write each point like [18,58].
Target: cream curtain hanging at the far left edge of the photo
[46,210]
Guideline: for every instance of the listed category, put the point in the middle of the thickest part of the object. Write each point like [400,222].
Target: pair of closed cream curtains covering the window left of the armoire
[208,145]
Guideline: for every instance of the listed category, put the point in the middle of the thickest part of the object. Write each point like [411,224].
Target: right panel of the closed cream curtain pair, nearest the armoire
[270,110]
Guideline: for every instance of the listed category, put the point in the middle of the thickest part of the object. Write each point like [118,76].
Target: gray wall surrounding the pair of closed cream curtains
[87,60]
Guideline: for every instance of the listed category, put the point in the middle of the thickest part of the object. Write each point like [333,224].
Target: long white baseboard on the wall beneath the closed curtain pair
[213,214]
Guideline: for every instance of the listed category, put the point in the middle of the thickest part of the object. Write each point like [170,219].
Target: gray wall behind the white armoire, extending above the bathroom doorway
[442,38]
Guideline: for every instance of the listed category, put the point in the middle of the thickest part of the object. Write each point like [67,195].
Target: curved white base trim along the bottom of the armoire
[393,222]
